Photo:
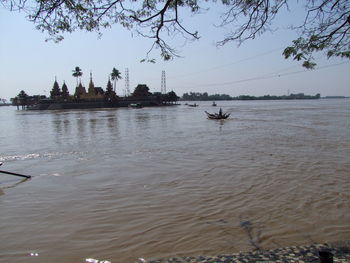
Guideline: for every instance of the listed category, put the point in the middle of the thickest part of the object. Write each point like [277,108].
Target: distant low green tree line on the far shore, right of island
[197,96]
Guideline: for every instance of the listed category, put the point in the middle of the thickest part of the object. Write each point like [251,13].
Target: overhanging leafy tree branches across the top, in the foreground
[324,27]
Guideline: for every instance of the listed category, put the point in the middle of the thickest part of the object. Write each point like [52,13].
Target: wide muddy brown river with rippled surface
[120,184]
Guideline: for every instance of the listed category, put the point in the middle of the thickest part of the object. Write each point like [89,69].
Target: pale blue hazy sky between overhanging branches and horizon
[257,67]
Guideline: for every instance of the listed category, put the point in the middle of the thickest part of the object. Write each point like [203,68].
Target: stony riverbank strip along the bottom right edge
[300,254]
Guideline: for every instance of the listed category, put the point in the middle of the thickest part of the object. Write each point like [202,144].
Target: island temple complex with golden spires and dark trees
[94,97]
